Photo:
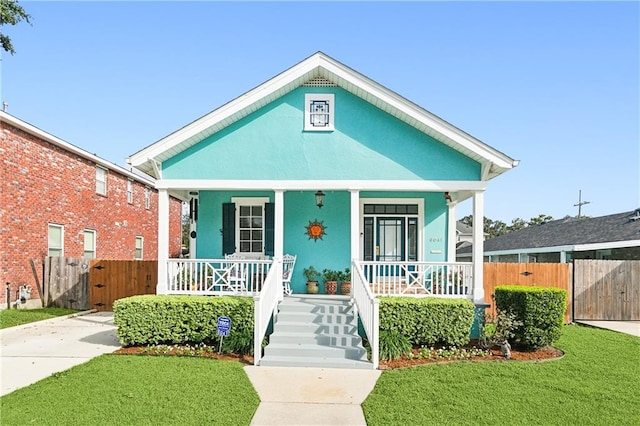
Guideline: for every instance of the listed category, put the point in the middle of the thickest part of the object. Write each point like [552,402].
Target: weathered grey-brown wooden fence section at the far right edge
[607,290]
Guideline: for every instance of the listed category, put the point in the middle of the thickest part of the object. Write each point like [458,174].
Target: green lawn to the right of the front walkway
[596,383]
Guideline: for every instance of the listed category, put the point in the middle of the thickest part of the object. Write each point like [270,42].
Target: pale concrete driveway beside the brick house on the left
[32,352]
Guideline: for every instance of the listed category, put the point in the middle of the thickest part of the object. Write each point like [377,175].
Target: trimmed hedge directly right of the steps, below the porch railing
[429,320]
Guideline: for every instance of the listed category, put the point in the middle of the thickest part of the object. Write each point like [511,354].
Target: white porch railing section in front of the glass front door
[418,279]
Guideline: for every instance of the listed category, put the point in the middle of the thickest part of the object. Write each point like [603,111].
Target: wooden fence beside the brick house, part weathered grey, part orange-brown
[79,283]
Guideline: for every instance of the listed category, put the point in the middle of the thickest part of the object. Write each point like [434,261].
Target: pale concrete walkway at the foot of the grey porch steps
[310,396]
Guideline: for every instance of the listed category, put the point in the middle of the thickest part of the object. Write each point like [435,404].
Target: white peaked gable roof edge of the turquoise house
[321,66]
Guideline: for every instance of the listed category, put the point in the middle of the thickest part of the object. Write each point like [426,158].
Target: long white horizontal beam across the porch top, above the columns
[325,185]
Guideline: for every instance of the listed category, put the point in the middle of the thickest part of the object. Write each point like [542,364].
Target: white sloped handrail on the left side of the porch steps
[265,307]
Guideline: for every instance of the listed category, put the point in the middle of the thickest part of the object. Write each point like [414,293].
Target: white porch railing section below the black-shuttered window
[216,277]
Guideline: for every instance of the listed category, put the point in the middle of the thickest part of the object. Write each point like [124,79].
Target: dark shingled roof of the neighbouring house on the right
[571,234]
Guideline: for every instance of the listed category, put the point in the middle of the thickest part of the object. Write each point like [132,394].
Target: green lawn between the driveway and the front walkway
[137,390]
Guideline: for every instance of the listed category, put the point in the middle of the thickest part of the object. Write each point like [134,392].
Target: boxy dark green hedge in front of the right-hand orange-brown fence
[540,309]
